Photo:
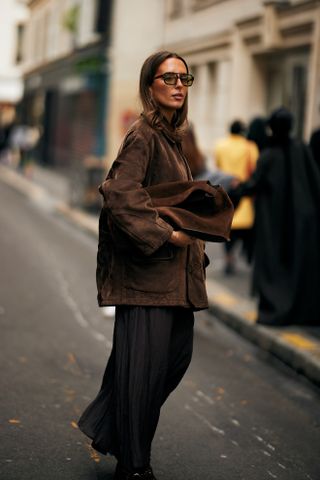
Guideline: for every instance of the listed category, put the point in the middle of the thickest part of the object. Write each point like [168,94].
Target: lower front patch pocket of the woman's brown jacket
[157,273]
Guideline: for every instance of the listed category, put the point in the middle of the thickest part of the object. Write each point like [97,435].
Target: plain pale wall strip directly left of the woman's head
[137,31]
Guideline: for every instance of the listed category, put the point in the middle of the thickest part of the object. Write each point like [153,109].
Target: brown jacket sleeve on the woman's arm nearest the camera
[128,203]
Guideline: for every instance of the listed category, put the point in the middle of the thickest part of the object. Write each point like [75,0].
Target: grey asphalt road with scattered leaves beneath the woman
[238,414]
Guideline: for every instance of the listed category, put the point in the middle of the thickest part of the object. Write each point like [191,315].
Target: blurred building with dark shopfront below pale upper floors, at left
[66,79]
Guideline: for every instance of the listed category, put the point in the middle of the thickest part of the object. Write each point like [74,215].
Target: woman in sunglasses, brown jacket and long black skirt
[152,273]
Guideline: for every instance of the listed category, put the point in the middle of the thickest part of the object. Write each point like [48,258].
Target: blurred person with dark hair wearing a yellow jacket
[237,156]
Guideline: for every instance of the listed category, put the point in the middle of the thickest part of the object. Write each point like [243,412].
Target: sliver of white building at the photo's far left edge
[14,14]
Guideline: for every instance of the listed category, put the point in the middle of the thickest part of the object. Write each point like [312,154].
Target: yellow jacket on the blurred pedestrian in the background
[238,156]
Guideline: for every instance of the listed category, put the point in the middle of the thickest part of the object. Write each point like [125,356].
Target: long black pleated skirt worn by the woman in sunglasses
[152,349]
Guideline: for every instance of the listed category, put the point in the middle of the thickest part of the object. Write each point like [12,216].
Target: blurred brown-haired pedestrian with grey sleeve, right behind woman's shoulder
[198,163]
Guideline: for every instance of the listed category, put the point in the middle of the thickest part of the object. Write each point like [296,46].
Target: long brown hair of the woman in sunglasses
[151,110]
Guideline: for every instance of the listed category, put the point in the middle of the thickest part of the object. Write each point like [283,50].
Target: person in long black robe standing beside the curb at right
[286,185]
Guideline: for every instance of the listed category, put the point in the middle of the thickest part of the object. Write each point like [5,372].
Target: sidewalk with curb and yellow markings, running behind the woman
[229,297]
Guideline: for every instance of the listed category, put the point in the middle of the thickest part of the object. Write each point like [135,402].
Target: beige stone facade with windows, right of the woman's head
[248,57]
